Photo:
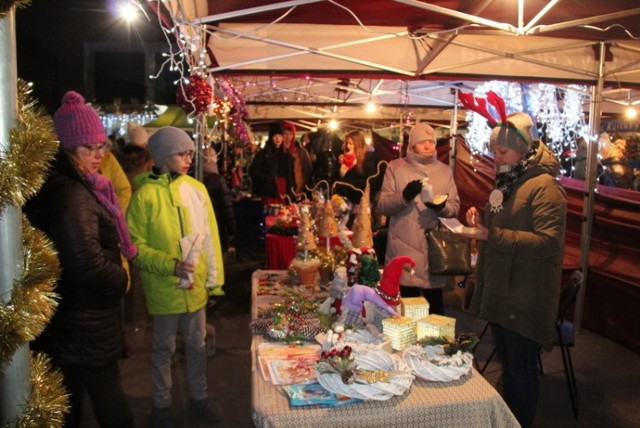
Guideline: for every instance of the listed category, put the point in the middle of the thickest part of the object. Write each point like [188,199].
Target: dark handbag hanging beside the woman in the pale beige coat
[449,253]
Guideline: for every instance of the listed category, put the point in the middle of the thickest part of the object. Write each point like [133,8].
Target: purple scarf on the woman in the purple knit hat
[102,188]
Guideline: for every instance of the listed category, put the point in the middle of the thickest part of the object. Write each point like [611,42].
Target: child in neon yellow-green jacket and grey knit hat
[171,219]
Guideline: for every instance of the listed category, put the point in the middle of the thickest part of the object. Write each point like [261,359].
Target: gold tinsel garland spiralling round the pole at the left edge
[32,302]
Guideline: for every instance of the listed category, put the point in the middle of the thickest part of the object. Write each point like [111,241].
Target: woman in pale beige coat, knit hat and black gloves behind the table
[410,217]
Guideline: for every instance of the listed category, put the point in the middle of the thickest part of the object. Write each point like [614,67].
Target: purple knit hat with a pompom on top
[77,123]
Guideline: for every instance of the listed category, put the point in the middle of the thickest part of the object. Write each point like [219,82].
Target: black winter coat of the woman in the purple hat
[86,329]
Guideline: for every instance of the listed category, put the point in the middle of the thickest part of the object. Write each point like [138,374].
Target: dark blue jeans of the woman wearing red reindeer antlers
[519,358]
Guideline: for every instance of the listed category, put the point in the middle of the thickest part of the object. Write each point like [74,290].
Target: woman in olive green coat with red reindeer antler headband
[519,267]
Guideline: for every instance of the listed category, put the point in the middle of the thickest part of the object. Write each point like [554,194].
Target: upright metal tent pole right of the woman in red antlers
[595,111]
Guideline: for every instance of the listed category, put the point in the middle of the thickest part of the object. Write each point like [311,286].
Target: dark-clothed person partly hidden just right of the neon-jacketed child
[221,198]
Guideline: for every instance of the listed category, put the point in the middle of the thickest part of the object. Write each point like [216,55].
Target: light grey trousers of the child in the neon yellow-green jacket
[165,329]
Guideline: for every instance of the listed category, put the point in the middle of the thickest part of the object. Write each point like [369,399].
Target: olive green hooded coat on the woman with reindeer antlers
[520,265]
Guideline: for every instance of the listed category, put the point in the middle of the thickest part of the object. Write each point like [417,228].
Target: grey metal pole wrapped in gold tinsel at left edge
[15,383]
